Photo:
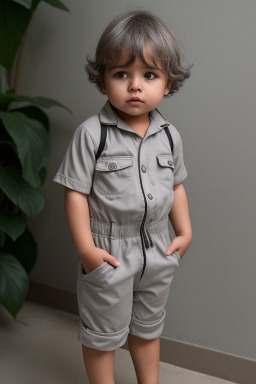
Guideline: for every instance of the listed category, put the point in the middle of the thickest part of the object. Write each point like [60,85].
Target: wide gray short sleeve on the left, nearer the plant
[77,168]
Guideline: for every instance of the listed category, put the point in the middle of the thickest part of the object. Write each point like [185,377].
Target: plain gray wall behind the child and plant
[212,302]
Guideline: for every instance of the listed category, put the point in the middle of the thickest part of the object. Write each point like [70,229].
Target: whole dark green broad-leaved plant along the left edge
[24,150]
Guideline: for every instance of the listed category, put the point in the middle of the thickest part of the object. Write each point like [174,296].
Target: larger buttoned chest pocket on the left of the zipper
[113,175]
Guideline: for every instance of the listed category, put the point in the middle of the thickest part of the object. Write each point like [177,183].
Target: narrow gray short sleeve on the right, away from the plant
[180,172]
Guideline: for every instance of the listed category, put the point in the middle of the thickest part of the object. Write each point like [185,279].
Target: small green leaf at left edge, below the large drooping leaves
[13,225]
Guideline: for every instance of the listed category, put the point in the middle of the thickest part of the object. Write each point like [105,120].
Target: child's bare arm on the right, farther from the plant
[180,220]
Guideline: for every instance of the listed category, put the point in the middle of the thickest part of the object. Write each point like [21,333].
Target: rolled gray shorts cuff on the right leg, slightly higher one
[147,330]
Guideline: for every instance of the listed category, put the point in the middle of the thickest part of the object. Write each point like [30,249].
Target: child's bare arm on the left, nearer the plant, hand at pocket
[78,218]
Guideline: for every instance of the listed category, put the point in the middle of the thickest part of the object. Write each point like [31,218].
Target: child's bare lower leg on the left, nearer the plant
[99,365]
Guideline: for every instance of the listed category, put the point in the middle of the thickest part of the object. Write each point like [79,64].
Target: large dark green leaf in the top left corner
[14,20]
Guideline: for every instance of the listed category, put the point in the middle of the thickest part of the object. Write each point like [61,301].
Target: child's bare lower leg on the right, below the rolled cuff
[145,355]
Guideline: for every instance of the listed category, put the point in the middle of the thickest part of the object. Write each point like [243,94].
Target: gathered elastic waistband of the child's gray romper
[127,230]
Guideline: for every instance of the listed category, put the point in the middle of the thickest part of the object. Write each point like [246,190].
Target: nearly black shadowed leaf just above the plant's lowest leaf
[24,249]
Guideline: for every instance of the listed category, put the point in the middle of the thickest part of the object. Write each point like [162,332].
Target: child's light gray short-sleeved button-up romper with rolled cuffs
[130,195]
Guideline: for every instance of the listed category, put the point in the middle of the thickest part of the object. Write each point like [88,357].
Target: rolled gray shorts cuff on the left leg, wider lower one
[101,341]
